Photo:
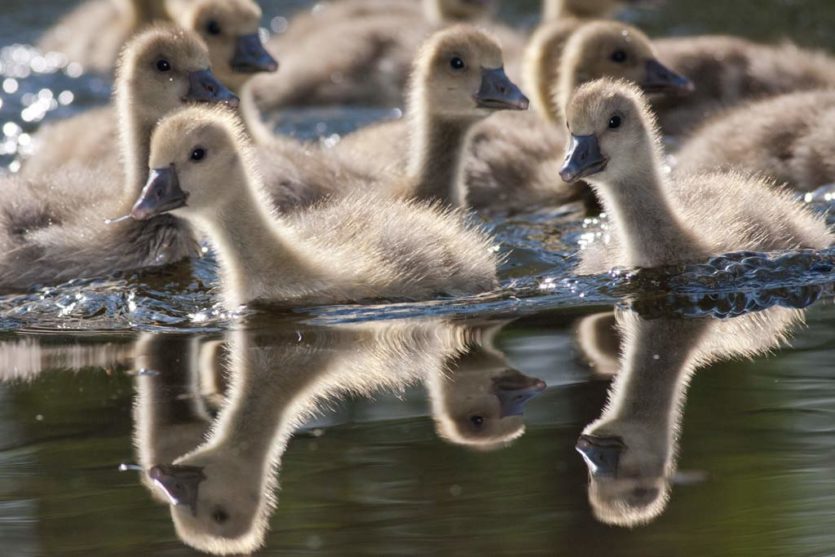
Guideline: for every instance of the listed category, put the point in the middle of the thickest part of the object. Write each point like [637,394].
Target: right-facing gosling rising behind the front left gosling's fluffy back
[458,80]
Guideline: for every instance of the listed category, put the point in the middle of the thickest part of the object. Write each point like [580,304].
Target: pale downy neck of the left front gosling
[257,252]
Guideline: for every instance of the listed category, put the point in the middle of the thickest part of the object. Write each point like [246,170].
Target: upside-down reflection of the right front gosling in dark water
[631,449]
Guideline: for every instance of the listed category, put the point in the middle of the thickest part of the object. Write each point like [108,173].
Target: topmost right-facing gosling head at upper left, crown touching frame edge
[230,30]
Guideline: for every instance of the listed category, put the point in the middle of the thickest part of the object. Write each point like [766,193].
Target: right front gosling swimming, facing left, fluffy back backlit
[616,148]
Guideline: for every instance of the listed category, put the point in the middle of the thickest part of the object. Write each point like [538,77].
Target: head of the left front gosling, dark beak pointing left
[198,158]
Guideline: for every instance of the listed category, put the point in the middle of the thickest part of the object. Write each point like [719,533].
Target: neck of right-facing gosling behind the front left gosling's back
[435,166]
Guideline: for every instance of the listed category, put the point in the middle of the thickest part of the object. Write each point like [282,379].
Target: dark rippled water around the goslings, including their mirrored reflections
[422,429]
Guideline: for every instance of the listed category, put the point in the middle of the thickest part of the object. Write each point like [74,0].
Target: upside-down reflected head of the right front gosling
[629,470]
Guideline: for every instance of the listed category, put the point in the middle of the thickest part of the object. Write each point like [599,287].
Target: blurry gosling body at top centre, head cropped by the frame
[361,58]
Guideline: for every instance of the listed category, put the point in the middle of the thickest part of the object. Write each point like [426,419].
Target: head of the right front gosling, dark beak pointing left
[613,134]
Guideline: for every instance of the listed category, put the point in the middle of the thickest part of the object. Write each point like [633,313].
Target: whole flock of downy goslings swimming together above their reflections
[496,119]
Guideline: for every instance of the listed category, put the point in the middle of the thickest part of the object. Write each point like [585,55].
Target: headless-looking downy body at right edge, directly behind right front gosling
[790,138]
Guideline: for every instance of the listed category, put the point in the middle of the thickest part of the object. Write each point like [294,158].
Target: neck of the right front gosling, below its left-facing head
[646,224]
